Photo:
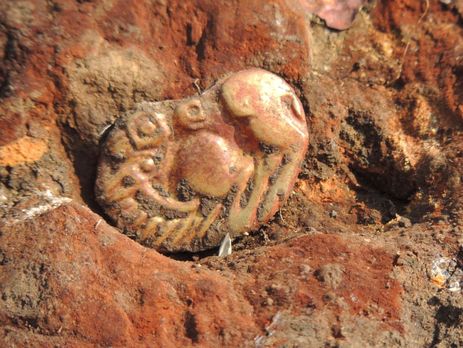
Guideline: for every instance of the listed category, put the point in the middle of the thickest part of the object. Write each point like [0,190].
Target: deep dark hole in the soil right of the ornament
[376,162]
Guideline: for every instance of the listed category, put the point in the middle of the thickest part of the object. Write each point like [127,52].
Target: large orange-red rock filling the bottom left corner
[70,277]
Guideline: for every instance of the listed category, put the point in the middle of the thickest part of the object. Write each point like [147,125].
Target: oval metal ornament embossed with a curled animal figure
[179,175]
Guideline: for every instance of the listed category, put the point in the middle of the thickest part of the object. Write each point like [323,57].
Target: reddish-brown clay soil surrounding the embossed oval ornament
[347,261]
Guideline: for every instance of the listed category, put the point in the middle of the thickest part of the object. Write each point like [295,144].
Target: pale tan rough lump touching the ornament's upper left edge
[107,81]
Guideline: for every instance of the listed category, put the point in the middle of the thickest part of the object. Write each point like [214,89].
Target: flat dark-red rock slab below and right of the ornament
[349,278]
